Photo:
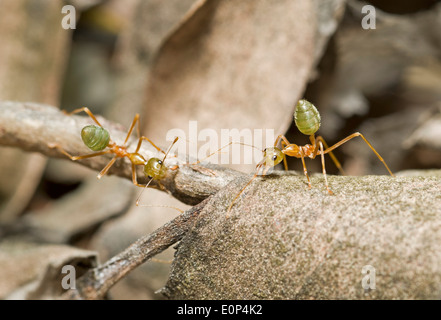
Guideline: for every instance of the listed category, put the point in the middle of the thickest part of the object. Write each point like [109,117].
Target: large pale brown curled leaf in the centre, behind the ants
[232,65]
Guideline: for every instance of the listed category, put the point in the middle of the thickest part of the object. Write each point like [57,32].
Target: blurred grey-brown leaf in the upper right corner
[374,62]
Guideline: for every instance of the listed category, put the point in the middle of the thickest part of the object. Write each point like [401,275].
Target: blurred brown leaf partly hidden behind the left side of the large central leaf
[147,25]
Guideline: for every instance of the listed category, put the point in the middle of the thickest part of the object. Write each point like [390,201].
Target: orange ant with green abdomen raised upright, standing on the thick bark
[307,120]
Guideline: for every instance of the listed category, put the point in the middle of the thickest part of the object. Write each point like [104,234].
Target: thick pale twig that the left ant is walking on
[32,127]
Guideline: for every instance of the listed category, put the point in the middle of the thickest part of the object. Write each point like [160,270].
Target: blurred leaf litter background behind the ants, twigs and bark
[241,65]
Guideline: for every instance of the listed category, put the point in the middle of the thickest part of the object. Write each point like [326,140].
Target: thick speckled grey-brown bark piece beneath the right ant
[284,241]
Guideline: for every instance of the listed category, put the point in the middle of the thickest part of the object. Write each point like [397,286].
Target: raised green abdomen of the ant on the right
[306,117]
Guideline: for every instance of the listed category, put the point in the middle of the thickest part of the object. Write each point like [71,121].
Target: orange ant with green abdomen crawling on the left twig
[97,138]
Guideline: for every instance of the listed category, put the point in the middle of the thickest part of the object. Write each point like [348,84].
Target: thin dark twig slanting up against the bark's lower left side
[95,283]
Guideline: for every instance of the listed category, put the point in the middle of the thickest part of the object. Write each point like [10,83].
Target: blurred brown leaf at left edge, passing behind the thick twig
[32,58]
